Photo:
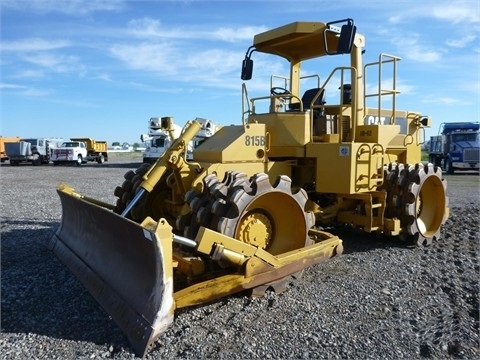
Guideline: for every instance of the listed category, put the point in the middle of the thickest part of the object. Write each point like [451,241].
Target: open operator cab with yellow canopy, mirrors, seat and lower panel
[290,105]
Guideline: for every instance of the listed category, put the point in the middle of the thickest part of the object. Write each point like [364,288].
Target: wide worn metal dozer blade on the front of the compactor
[127,267]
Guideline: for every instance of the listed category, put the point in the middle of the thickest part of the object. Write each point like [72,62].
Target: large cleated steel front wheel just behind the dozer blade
[247,210]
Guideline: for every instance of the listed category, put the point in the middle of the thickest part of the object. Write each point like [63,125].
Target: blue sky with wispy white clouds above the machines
[102,68]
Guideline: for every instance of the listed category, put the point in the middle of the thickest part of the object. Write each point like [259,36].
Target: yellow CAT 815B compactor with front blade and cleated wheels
[247,211]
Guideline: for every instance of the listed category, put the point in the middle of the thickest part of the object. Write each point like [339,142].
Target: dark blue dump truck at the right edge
[456,147]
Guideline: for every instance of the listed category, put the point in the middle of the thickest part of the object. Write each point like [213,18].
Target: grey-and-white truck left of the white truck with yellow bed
[36,151]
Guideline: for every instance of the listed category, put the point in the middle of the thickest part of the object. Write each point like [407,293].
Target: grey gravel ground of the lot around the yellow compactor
[378,300]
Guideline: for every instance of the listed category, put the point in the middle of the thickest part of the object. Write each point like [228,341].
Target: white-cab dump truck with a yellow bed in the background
[79,151]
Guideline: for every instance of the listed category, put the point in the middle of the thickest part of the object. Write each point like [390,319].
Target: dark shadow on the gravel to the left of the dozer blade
[41,296]
